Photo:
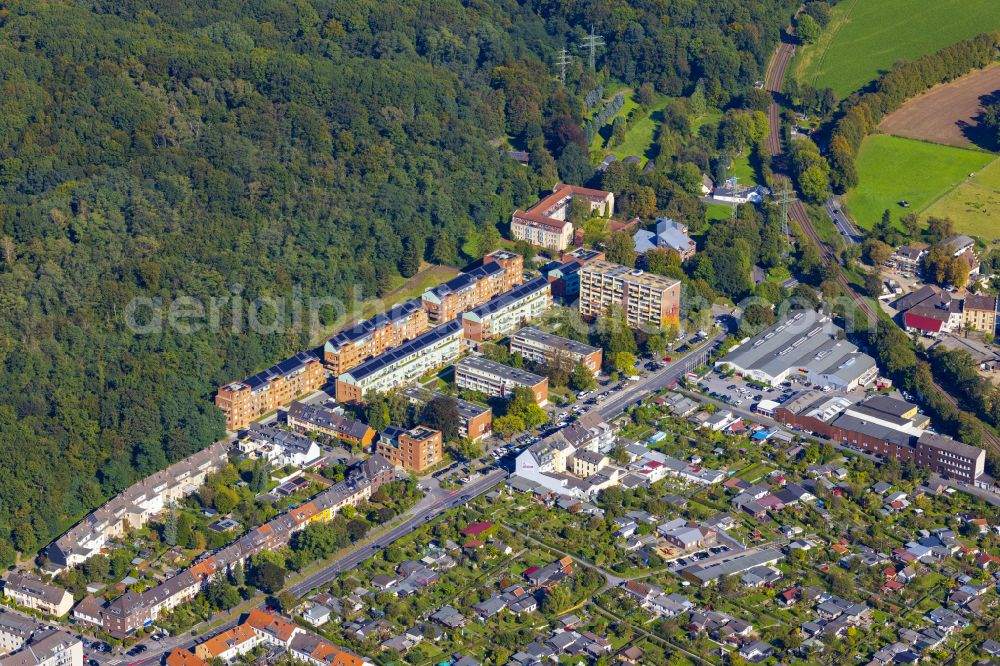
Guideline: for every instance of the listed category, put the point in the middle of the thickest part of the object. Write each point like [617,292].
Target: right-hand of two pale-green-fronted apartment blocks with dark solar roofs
[508,311]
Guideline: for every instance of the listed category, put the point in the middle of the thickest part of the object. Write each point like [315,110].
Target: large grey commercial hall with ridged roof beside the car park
[808,346]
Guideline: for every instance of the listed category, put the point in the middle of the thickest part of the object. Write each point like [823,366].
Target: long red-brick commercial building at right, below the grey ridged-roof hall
[883,426]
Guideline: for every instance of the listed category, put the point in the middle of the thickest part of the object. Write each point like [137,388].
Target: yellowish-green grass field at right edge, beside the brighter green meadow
[974,205]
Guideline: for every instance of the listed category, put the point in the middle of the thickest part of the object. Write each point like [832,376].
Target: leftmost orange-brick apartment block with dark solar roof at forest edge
[246,401]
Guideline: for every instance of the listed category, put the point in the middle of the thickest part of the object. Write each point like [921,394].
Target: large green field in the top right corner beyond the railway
[865,37]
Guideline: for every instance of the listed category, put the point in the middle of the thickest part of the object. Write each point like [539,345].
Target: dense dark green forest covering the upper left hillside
[269,147]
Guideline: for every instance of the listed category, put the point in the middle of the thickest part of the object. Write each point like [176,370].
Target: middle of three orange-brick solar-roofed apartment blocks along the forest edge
[373,336]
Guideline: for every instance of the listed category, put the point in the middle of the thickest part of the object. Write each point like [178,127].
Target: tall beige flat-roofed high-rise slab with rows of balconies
[646,299]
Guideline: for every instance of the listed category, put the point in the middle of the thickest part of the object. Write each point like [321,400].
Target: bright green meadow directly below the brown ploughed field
[891,169]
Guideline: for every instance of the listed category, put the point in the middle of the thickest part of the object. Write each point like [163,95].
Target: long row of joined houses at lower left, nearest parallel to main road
[130,611]
